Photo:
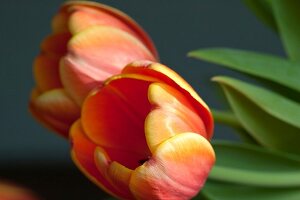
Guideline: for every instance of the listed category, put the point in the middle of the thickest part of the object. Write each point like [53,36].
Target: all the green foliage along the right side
[266,164]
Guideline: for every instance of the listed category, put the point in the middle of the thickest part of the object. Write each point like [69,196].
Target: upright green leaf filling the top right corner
[287,16]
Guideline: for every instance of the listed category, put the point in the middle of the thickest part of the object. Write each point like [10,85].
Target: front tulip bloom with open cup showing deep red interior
[144,134]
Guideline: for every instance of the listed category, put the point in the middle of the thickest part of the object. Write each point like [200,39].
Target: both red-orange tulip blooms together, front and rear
[138,130]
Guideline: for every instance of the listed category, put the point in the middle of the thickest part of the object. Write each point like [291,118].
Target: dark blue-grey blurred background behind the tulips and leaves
[38,159]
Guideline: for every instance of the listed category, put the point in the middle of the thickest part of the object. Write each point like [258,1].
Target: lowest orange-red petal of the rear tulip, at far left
[55,109]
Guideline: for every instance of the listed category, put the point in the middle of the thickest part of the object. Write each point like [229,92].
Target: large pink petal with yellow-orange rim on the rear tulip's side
[96,54]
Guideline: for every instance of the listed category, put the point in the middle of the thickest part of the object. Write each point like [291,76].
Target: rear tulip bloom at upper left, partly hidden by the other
[90,42]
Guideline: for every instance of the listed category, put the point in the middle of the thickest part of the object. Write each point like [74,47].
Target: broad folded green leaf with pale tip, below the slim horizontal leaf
[270,118]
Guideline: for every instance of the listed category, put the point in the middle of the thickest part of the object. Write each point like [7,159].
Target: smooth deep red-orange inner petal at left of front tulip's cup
[113,117]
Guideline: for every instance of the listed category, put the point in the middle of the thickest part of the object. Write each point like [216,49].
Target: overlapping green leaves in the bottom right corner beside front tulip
[244,171]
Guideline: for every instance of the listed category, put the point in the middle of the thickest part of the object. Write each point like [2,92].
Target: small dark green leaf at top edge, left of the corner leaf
[263,11]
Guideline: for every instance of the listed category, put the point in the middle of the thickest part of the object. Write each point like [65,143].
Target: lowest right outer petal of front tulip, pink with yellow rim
[177,170]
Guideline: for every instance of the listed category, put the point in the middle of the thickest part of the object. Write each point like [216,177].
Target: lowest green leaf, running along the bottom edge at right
[223,191]
